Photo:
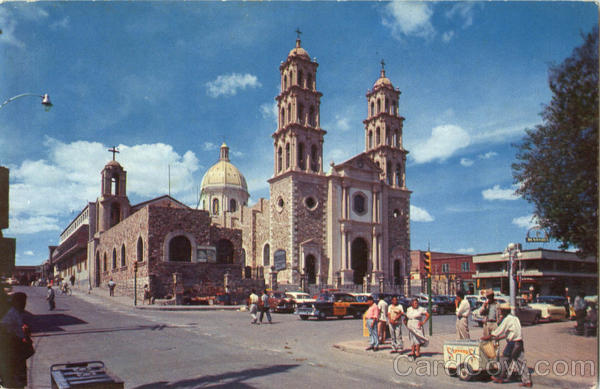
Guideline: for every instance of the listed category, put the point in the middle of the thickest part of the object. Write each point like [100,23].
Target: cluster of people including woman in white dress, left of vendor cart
[391,316]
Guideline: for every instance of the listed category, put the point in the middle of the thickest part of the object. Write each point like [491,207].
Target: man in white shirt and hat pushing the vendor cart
[514,352]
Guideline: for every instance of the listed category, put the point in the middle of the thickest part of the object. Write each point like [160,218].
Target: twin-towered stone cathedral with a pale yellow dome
[345,226]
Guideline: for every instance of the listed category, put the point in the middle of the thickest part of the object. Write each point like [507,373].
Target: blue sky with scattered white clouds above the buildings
[168,82]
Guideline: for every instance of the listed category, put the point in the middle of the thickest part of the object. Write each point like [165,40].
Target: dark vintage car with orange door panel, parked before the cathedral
[335,304]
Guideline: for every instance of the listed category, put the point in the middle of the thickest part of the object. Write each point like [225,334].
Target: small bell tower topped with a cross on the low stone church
[113,204]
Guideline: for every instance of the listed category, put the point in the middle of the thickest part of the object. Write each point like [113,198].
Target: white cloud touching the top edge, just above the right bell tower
[409,19]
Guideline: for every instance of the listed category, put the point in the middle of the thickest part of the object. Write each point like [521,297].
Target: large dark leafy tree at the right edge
[557,168]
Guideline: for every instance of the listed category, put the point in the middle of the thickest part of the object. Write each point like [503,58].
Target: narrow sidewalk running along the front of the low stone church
[101,296]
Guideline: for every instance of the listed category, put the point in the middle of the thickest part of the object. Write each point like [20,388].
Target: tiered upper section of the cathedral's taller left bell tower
[298,140]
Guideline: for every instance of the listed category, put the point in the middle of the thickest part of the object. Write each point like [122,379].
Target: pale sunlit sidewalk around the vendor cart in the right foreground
[551,349]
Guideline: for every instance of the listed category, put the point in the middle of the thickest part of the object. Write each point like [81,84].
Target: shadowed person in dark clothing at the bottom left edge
[15,340]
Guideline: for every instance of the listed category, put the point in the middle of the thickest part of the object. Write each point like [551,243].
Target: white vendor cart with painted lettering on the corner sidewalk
[471,358]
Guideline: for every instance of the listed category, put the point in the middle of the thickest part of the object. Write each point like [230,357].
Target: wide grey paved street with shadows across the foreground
[151,349]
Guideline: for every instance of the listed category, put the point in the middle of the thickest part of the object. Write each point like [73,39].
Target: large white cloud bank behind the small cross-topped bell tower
[44,190]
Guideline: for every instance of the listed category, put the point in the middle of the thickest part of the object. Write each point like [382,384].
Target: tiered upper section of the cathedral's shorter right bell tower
[383,131]
